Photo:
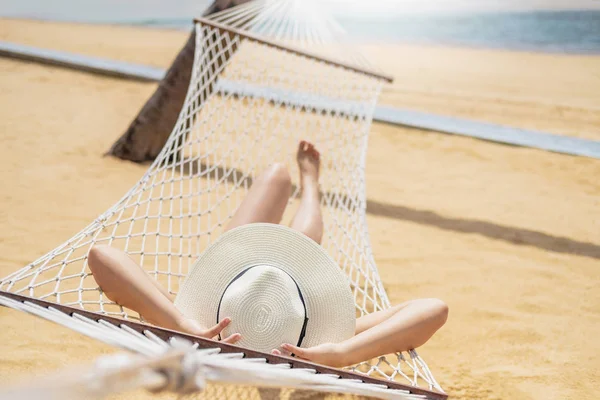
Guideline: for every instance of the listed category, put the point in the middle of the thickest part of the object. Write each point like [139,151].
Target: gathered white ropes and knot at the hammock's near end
[182,364]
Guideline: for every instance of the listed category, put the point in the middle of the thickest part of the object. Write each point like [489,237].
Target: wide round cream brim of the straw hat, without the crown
[329,302]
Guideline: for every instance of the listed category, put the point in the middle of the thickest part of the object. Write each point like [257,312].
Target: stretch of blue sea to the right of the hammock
[544,31]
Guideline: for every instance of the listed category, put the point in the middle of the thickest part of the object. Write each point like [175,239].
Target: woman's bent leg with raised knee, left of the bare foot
[266,200]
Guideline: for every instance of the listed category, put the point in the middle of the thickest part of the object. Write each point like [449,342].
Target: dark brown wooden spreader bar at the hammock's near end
[166,335]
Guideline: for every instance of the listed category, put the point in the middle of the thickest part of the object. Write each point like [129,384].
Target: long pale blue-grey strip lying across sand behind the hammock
[415,119]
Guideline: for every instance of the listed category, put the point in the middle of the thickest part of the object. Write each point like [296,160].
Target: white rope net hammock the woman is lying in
[223,138]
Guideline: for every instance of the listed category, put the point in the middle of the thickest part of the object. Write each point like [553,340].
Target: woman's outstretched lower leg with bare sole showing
[308,218]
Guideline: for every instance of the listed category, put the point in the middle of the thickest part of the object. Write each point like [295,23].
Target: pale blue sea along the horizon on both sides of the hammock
[547,31]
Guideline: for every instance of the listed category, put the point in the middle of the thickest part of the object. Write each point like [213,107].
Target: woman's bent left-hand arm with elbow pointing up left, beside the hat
[125,282]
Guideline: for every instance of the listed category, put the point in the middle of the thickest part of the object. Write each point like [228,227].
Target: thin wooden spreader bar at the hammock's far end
[290,49]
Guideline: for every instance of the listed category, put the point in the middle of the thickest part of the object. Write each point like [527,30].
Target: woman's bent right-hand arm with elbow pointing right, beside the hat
[401,328]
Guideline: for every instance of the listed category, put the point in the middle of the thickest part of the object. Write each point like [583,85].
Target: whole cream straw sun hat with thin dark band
[277,286]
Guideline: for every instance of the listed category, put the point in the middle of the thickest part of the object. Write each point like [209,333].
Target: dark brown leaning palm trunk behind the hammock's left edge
[149,131]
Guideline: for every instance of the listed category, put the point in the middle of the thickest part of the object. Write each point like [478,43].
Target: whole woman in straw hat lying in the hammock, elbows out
[399,328]
